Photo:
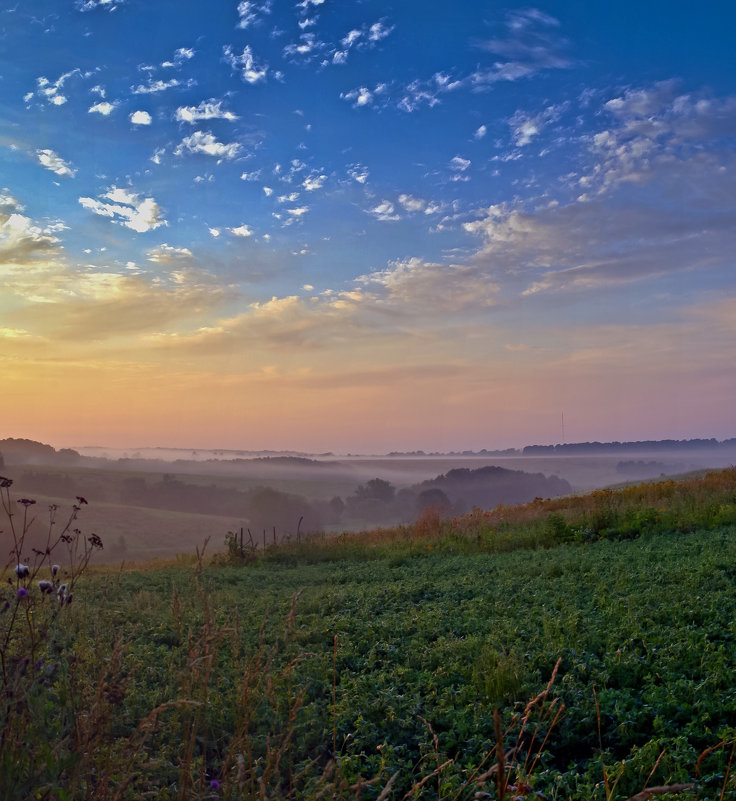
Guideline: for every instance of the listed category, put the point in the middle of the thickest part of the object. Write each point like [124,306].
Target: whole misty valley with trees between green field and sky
[144,507]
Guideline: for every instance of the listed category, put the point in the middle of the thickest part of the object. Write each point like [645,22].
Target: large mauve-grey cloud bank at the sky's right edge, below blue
[564,248]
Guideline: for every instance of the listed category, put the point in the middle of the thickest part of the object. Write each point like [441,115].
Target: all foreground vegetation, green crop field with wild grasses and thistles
[580,648]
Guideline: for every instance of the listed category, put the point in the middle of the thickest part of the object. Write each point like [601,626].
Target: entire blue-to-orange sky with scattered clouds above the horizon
[366,226]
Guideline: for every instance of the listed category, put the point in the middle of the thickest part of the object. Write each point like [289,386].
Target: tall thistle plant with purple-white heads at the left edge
[36,589]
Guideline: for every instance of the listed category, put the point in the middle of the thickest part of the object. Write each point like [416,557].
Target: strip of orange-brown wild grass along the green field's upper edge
[702,501]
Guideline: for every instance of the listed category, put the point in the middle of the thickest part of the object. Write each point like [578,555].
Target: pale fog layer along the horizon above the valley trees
[586,465]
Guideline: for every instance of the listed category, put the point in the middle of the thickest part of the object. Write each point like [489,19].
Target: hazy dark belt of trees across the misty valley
[376,502]
